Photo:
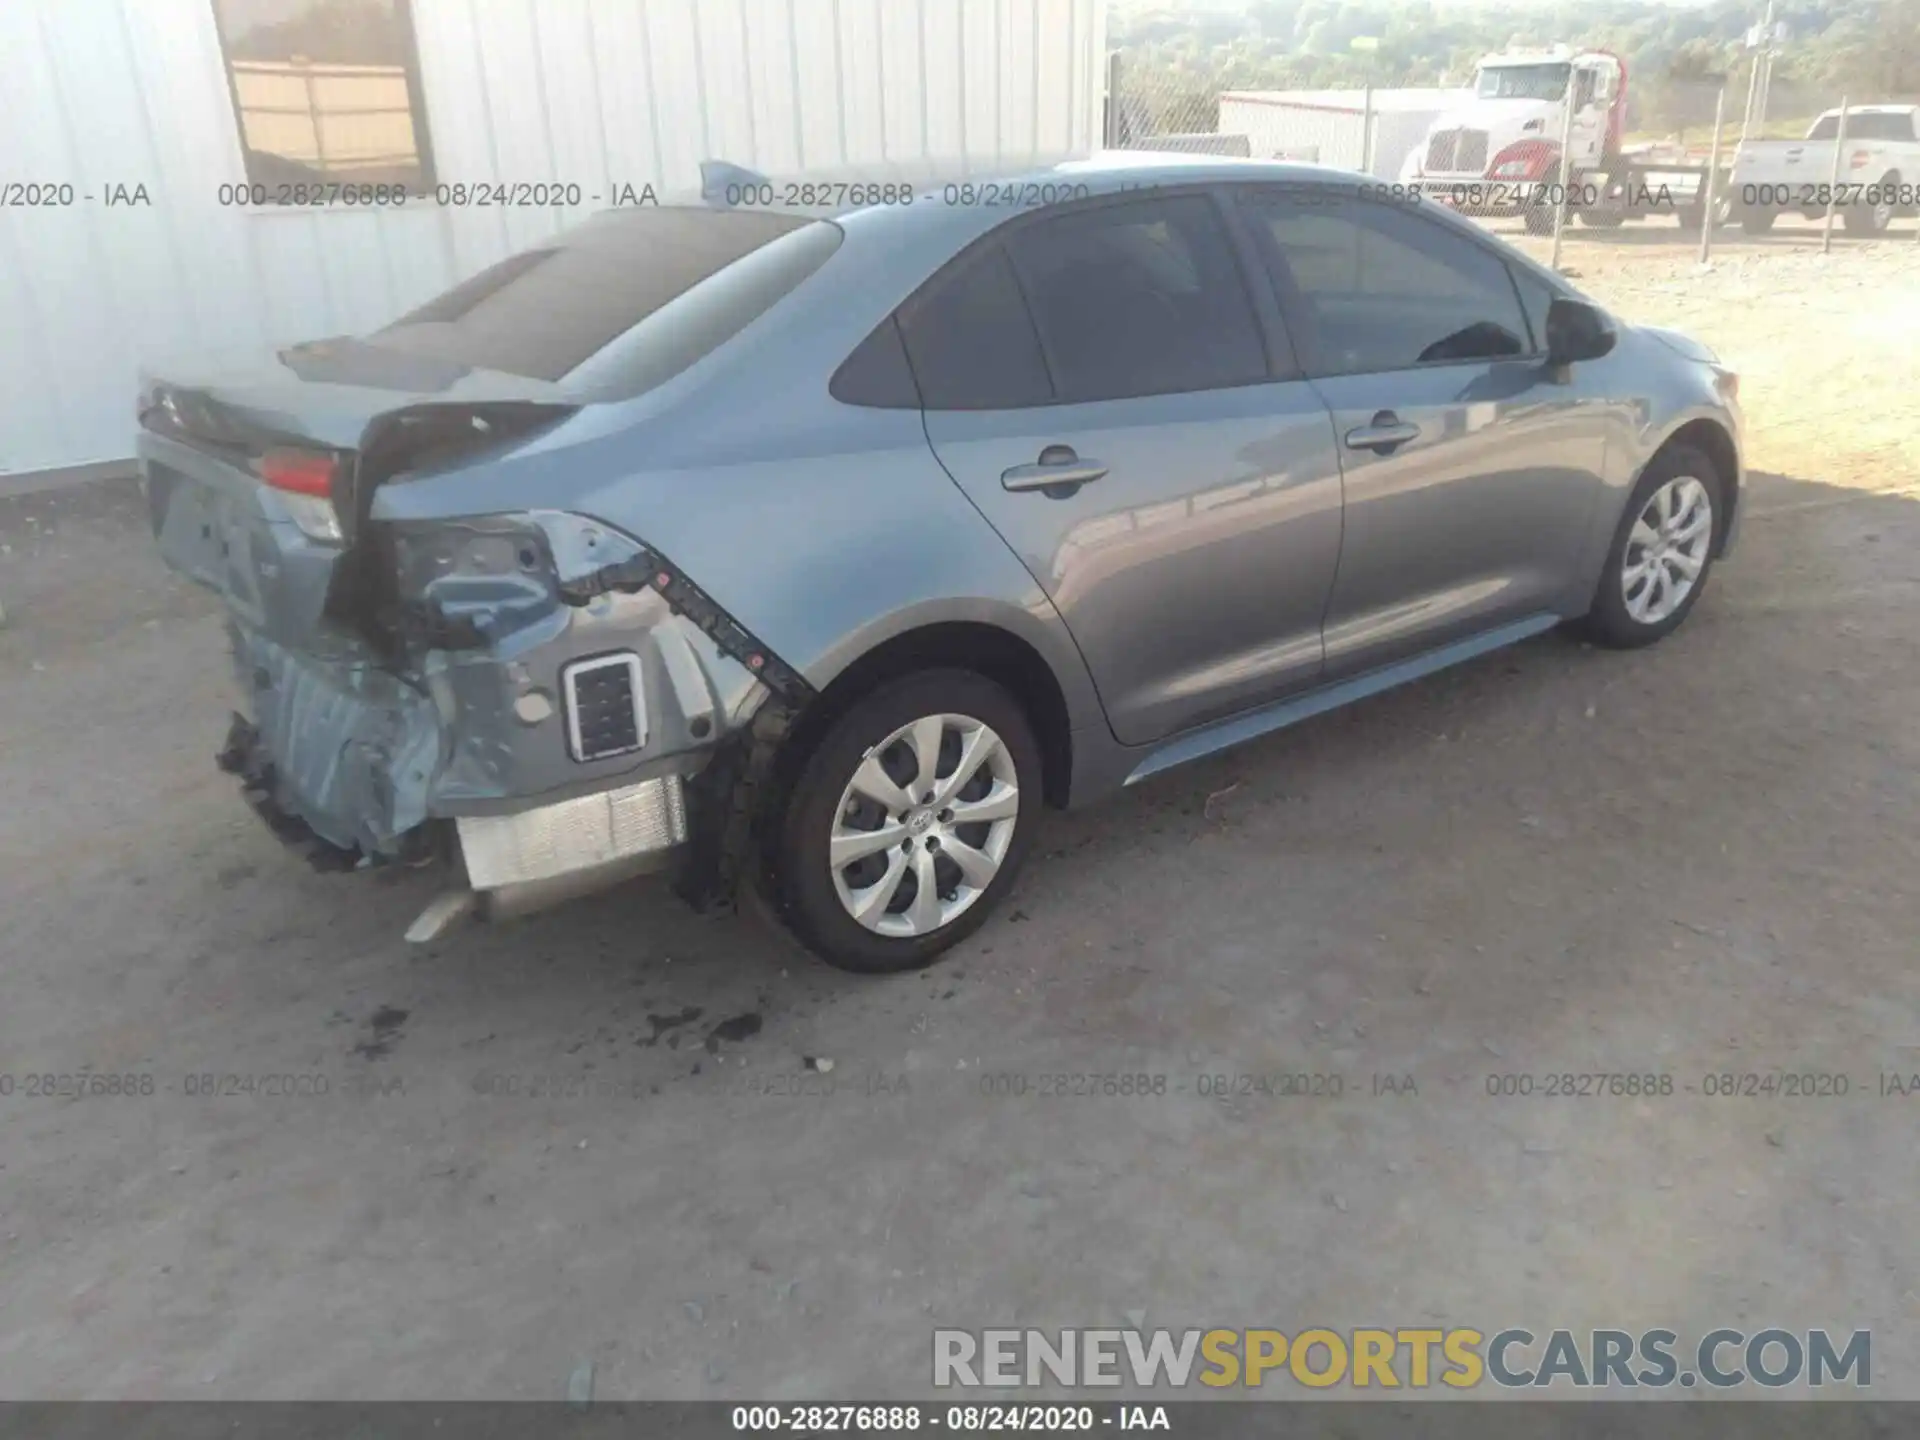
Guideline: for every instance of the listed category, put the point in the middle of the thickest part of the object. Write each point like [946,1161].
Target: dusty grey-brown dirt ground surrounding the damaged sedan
[567,1141]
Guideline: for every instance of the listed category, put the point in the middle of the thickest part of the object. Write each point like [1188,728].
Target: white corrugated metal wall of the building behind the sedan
[598,93]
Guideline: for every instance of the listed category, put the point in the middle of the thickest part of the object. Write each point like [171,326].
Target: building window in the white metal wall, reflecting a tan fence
[325,93]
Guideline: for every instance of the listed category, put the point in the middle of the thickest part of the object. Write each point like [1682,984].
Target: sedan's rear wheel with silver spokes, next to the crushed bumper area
[909,823]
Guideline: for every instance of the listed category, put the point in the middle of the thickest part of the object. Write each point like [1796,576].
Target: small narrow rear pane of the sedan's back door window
[971,341]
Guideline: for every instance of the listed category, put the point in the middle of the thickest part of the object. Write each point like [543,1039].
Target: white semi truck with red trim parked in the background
[1500,151]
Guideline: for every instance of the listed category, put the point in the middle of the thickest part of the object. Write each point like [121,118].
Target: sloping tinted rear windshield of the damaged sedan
[546,312]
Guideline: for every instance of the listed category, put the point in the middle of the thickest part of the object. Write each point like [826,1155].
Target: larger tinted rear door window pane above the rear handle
[1140,299]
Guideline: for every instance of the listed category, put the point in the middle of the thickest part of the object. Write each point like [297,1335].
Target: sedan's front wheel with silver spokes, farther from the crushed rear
[1662,554]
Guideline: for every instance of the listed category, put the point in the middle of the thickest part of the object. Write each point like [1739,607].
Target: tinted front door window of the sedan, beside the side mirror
[1385,289]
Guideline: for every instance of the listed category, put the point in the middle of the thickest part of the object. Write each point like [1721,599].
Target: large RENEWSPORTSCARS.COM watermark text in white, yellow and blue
[1416,1358]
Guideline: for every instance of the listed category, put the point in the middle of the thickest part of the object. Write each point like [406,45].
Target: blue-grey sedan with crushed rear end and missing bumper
[819,550]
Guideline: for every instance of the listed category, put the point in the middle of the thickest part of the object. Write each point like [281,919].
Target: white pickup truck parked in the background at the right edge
[1879,172]
